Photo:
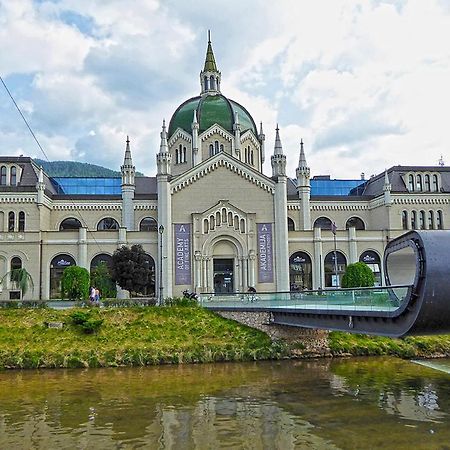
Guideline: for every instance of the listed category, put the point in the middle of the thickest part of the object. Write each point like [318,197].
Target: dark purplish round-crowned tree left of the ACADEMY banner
[130,269]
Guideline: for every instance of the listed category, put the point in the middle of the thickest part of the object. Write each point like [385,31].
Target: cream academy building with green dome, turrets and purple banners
[211,220]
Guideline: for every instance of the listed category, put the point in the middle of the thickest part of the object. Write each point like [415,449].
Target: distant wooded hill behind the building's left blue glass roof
[76,169]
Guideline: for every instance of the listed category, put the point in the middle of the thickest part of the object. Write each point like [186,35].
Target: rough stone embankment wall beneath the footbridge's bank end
[304,342]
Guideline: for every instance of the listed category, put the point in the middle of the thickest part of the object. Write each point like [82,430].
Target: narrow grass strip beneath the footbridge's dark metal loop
[409,347]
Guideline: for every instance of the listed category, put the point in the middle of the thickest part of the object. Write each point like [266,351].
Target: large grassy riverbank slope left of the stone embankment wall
[127,337]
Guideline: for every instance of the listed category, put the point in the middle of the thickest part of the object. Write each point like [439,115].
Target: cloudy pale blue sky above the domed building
[364,83]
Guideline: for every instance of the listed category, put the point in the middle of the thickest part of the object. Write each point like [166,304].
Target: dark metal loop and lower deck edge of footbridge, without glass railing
[420,259]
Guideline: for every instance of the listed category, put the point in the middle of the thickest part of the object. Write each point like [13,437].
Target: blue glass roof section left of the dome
[87,186]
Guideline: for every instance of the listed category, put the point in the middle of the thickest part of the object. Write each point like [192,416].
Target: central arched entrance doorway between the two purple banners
[224,263]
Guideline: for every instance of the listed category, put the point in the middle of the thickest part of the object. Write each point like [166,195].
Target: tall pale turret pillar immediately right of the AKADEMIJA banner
[280,209]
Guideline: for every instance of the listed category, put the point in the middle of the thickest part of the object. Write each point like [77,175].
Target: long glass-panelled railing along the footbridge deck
[380,298]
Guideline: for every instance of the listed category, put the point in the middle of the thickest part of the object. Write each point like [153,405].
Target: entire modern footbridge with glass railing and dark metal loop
[414,301]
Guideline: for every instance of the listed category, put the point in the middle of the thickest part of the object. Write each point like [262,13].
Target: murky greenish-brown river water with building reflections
[319,404]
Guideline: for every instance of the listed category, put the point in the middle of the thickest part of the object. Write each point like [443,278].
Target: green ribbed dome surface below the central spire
[211,109]
